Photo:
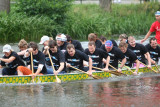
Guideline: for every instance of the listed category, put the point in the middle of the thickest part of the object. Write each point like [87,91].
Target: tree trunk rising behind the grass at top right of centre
[105,4]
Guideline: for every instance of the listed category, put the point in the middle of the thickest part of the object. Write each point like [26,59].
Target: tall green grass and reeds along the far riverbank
[81,20]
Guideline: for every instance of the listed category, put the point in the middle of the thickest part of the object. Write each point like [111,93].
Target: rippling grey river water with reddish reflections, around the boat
[131,91]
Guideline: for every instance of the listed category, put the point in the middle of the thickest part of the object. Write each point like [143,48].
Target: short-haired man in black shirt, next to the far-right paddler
[140,51]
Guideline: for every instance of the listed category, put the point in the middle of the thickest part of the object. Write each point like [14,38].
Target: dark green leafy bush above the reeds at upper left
[54,9]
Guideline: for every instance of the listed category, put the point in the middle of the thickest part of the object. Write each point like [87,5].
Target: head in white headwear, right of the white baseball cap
[61,38]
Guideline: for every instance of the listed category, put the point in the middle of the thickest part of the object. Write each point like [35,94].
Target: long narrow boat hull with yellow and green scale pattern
[63,77]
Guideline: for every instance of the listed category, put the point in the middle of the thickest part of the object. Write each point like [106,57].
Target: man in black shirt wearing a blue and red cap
[115,55]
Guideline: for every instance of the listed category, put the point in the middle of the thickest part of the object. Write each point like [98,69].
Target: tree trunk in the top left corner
[5,5]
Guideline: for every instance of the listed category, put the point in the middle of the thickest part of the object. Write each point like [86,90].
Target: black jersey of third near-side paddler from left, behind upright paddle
[57,58]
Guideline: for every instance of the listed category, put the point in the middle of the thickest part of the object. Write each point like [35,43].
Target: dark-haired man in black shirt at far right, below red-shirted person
[154,50]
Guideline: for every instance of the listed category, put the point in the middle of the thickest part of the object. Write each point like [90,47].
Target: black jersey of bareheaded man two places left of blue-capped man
[76,60]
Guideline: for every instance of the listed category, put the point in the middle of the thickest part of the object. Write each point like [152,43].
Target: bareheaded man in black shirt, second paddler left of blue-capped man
[75,58]
